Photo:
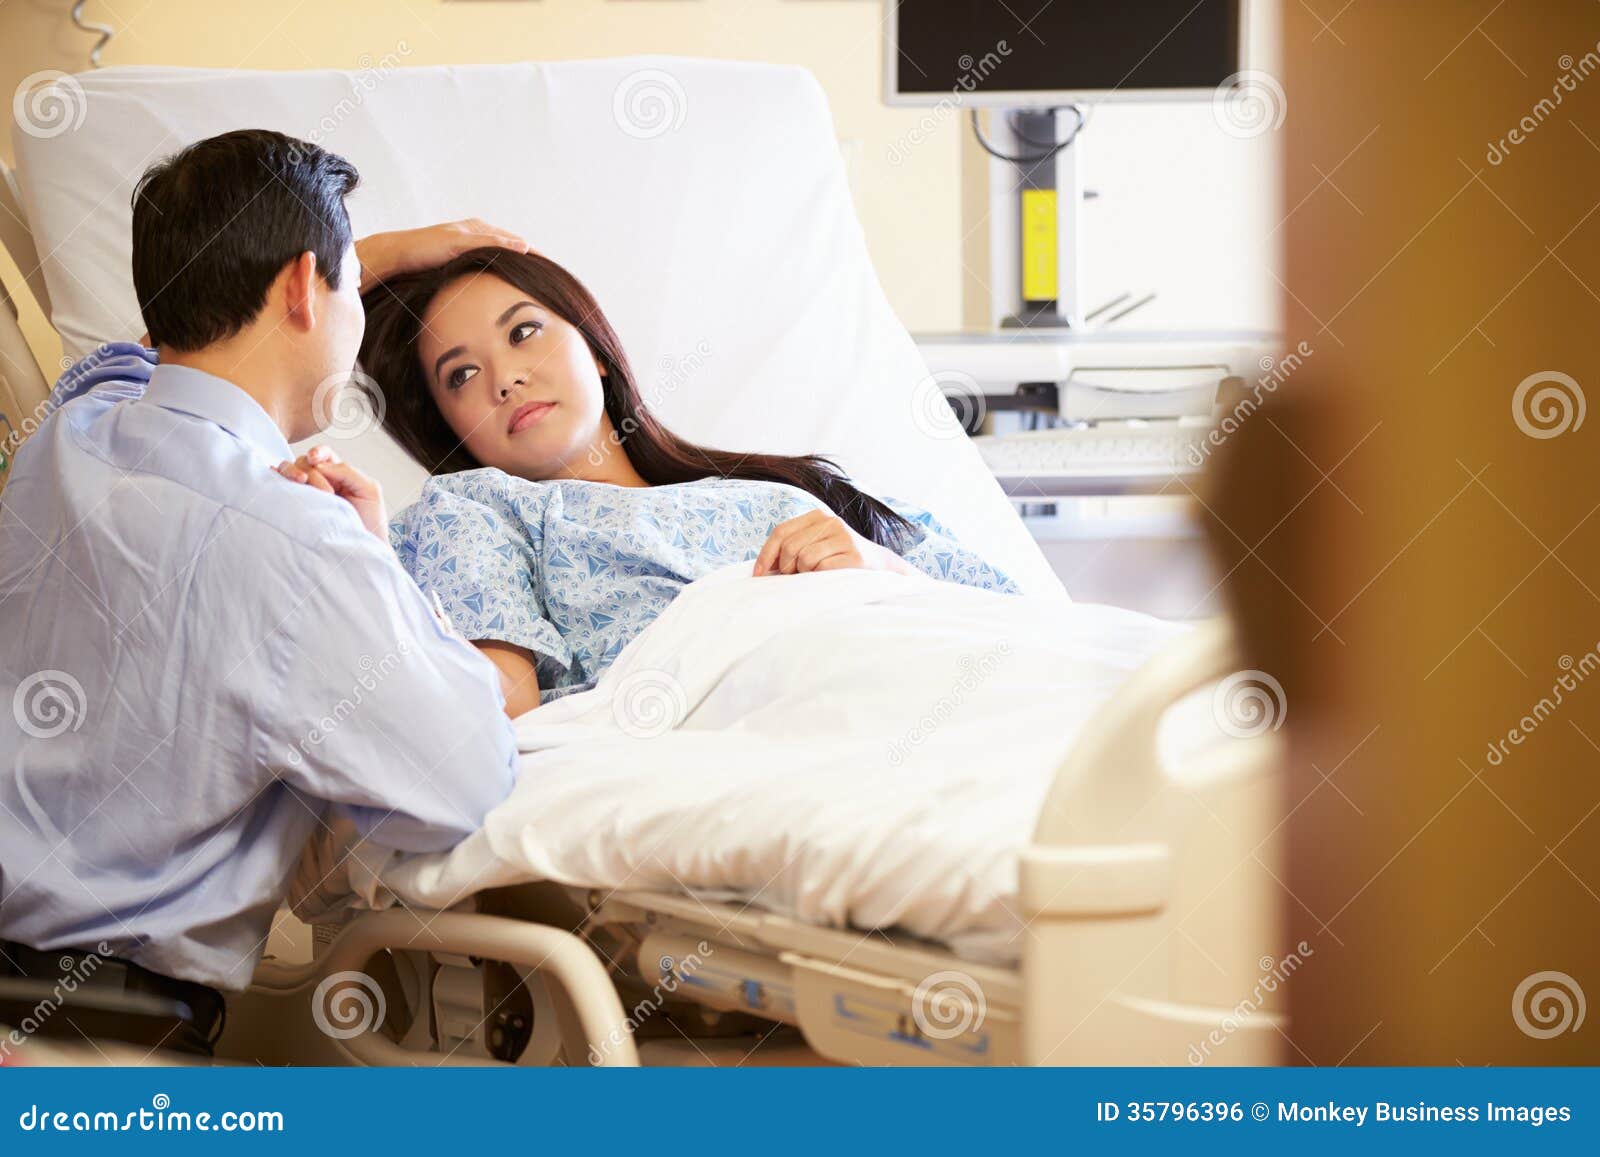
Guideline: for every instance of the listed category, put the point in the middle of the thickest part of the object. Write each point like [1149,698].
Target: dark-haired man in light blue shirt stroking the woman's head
[204,657]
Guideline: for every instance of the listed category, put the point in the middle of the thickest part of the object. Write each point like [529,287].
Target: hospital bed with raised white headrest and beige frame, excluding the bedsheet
[706,206]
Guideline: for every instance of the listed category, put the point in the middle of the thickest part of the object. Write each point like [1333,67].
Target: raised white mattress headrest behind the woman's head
[703,202]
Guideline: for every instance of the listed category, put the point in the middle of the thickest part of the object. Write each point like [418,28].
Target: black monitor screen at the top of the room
[1065,46]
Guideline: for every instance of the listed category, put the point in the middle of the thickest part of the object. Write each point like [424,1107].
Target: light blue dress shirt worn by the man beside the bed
[198,660]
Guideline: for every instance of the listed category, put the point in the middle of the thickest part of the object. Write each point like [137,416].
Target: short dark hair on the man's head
[215,225]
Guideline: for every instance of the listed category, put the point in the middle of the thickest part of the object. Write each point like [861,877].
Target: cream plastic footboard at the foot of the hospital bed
[1153,894]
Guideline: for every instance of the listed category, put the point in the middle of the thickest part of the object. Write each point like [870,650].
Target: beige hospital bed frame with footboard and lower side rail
[1151,902]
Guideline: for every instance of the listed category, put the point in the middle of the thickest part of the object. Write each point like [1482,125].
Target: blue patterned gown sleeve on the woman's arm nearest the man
[478,554]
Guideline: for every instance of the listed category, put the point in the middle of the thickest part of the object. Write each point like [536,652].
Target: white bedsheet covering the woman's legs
[847,748]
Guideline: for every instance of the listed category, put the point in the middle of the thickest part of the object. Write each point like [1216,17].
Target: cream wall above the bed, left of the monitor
[911,209]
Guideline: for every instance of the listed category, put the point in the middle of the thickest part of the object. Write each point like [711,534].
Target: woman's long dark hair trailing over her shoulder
[390,356]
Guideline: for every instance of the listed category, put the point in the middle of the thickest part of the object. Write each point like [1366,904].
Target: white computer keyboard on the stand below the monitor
[1097,460]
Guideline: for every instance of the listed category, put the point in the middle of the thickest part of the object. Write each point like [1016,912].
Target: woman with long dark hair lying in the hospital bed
[562,518]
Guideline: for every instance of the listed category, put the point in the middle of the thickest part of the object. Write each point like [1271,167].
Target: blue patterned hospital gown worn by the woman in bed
[575,570]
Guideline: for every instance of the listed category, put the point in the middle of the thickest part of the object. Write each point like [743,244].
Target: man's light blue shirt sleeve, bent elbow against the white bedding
[378,710]
